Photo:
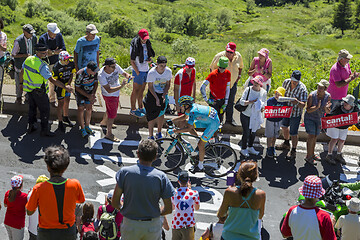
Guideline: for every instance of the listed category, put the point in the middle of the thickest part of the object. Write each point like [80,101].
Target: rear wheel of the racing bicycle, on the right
[219,159]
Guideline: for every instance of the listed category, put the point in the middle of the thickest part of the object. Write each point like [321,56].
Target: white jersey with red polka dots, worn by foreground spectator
[184,202]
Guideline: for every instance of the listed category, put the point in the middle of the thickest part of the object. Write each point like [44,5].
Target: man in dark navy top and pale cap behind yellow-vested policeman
[54,41]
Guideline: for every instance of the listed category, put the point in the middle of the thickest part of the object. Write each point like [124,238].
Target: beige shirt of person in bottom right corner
[350,227]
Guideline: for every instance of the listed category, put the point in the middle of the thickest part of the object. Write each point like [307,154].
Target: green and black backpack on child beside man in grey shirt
[107,227]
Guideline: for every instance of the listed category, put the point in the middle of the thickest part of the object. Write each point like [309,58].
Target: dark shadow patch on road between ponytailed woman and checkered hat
[280,172]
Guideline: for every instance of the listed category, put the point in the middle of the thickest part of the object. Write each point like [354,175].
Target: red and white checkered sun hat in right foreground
[312,187]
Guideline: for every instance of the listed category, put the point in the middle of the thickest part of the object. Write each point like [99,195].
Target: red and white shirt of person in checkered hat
[308,223]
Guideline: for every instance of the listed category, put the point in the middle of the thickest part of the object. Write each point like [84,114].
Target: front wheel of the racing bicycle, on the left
[169,156]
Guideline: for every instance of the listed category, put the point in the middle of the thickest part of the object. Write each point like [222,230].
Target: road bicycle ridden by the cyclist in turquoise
[220,159]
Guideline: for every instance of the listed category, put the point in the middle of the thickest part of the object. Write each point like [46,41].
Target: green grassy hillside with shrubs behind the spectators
[299,36]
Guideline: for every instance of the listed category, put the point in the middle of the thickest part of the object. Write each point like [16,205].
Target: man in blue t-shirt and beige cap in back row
[87,48]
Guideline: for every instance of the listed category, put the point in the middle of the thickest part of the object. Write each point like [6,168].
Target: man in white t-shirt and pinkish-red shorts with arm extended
[110,89]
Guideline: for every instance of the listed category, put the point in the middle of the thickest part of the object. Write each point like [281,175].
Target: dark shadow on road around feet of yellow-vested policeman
[28,147]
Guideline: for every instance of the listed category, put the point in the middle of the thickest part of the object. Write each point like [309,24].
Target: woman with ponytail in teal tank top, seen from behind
[243,205]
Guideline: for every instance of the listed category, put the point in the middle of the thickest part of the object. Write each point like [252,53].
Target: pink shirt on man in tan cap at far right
[338,73]
